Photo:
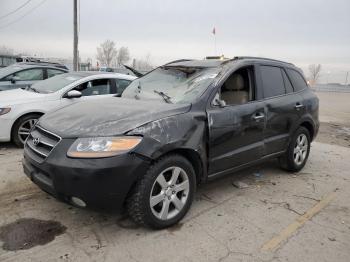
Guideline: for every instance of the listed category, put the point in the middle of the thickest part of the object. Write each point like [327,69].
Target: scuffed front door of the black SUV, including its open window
[236,123]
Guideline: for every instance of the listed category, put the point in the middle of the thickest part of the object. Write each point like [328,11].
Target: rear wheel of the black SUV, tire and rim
[297,153]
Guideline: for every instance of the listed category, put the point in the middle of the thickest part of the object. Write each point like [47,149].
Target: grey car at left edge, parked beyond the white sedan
[25,74]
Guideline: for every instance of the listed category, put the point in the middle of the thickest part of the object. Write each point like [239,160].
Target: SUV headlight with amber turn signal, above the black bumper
[98,147]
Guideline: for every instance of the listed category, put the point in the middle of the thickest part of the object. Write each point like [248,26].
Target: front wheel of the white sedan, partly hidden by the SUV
[22,127]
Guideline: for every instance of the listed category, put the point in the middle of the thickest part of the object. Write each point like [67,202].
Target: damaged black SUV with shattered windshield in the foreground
[180,125]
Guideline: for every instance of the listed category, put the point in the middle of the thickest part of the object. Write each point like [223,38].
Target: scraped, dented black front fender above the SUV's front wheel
[179,133]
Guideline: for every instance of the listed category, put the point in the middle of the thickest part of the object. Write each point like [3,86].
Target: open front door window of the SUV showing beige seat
[238,88]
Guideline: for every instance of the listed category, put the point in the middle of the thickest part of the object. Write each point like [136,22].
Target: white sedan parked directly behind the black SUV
[20,108]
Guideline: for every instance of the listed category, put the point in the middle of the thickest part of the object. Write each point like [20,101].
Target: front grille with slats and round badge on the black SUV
[41,142]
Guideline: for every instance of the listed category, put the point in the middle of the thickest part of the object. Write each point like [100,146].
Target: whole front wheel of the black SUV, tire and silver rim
[174,195]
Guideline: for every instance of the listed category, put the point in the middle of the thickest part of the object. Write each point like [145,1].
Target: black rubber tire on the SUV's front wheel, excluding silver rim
[138,204]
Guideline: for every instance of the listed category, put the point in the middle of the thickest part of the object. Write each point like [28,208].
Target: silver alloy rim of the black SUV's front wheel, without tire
[169,193]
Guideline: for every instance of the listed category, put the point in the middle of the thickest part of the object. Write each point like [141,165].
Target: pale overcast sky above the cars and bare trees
[303,32]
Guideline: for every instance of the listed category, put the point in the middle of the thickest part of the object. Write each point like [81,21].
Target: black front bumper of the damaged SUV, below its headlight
[100,183]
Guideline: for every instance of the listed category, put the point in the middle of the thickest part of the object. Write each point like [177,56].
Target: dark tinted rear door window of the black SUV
[272,81]
